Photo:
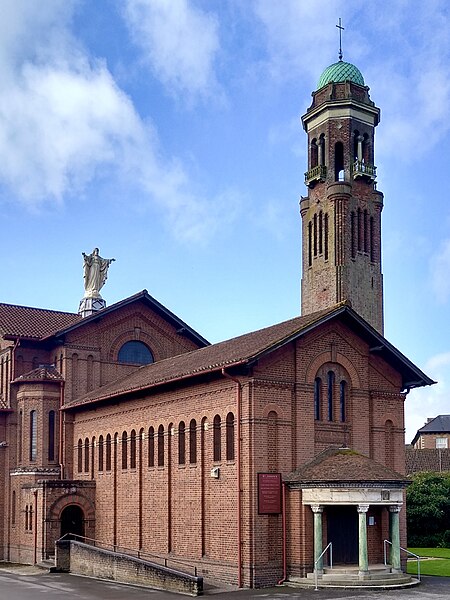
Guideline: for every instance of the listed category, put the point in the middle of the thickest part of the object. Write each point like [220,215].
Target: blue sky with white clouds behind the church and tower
[167,133]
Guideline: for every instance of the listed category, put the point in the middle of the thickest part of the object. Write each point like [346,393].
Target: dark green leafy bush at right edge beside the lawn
[428,510]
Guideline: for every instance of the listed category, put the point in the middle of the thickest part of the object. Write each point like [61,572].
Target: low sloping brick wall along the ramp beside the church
[82,559]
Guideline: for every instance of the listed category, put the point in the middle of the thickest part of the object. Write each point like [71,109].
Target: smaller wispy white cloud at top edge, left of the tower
[179,43]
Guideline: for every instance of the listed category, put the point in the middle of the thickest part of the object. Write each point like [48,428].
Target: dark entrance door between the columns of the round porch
[342,530]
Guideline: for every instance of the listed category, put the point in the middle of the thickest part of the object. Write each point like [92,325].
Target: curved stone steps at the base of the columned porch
[379,577]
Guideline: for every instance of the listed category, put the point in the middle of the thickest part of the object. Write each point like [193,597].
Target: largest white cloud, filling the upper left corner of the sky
[64,123]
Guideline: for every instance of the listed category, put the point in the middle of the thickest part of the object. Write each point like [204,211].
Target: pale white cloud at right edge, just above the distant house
[429,401]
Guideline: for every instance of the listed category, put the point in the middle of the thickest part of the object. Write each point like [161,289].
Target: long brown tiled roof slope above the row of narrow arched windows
[236,351]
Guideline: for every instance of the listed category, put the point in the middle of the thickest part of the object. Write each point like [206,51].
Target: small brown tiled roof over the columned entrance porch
[343,465]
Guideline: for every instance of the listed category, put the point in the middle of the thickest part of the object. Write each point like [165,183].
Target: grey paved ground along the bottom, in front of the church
[32,584]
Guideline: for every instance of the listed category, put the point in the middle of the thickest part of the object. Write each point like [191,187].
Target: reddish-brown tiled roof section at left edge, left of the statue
[29,322]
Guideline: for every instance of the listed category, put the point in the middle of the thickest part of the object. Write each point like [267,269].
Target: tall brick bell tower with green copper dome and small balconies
[341,215]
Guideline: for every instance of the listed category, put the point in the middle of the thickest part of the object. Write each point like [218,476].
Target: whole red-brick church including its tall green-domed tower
[244,458]
